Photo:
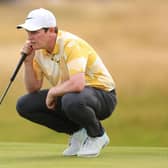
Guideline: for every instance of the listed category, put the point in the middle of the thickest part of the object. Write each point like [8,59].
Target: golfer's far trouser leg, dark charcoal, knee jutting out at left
[33,107]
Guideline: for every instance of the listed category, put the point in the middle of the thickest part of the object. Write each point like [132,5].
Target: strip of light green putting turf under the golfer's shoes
[33,155]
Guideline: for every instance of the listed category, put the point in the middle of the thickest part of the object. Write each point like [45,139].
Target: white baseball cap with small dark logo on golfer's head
[37,19]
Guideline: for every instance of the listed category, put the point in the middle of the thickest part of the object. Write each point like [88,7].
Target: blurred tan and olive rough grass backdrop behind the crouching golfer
[131,38]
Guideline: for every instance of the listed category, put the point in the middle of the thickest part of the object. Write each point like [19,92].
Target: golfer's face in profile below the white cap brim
[38,38]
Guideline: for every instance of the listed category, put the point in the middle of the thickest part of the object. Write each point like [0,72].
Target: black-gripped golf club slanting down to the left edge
[23,56]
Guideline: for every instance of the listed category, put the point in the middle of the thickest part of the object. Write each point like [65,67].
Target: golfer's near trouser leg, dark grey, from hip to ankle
[88,107]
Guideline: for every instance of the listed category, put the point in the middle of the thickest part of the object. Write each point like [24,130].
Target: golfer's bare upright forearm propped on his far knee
[31,83]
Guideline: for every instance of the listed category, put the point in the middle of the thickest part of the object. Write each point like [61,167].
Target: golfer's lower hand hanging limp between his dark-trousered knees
[51,99]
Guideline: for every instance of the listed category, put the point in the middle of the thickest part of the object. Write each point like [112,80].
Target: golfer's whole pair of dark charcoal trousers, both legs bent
[73,110]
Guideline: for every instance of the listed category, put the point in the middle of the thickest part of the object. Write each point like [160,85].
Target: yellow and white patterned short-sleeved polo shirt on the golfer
[70,56]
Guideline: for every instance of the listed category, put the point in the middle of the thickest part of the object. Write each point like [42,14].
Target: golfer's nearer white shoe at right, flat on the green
[92,146]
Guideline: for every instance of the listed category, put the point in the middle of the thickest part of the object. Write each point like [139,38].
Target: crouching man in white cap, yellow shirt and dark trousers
[82,90]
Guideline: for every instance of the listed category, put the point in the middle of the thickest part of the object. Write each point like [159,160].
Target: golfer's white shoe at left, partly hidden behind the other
[76,141]
